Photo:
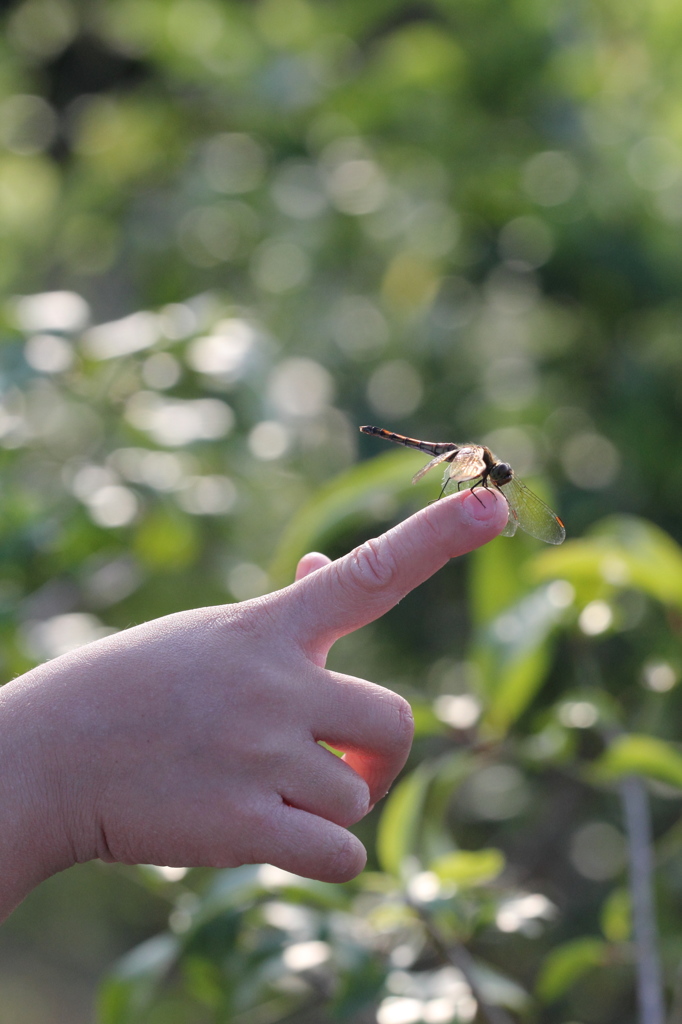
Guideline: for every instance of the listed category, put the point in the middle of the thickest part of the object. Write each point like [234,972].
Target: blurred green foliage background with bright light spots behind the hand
[231,234]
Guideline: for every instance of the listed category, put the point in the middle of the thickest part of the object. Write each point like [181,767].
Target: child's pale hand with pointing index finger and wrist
[194,740]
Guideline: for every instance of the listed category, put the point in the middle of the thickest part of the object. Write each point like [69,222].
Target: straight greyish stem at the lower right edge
[638,829]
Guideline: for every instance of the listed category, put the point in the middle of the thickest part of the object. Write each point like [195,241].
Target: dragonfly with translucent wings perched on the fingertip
[467,463]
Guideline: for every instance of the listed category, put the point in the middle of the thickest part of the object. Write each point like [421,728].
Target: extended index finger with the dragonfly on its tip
[365,584]
